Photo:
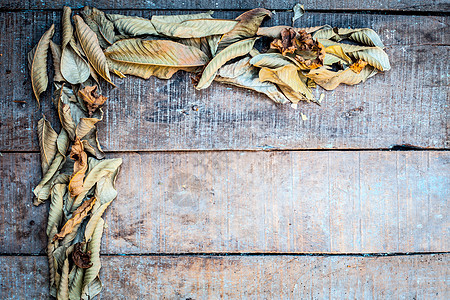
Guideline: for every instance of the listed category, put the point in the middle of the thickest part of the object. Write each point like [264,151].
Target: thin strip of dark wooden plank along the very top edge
[413,5]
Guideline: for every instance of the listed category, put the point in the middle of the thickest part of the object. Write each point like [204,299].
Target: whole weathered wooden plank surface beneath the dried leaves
[241,198]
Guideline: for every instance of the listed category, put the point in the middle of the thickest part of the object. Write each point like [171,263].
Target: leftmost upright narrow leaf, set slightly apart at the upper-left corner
[37,63]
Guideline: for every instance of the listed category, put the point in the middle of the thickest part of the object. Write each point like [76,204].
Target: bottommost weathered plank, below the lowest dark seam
[247,277]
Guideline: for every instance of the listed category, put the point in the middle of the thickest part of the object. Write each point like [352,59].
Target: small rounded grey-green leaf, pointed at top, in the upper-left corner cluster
[73,67]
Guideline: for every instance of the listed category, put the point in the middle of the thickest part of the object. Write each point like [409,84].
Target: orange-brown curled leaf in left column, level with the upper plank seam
[79,168]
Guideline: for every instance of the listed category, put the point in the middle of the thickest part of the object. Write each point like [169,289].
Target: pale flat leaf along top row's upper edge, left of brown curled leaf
[194,28]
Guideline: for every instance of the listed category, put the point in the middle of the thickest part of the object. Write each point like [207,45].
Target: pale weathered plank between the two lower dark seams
[293,202]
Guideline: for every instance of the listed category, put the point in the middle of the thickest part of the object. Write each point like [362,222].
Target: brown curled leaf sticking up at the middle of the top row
[247,27]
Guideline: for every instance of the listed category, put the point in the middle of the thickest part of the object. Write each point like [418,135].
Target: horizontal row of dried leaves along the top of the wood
[214,49]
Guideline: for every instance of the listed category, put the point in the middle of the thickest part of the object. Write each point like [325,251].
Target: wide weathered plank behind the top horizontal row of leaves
[408,104]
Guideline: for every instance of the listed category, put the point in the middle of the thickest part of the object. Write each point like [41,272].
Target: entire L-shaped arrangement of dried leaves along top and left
[82,187]
